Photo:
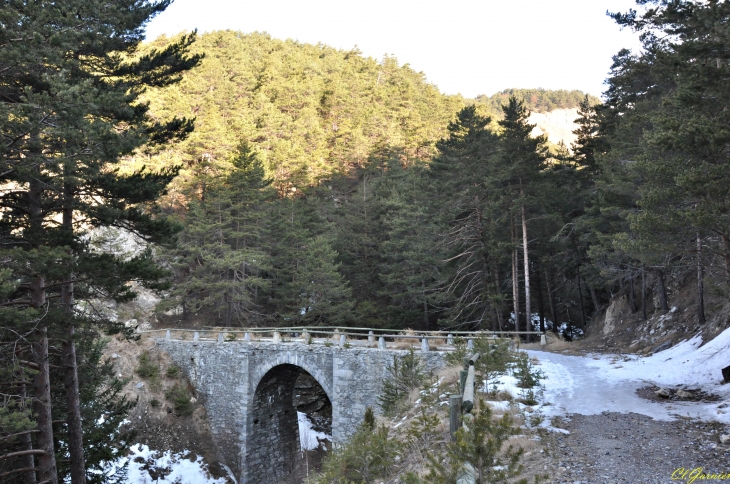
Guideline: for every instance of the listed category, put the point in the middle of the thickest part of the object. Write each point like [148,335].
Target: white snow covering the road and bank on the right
[593,384]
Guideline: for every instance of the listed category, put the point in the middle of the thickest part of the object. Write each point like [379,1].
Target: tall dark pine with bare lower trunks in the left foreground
[70,87]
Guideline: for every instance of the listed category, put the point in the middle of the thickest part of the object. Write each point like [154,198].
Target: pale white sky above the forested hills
[462,46]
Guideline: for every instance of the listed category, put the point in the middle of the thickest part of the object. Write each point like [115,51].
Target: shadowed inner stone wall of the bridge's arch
[273,431]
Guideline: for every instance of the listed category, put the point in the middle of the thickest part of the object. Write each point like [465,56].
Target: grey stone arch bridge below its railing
[248,390]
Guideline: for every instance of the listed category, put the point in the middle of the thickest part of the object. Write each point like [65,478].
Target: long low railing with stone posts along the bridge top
[346,337]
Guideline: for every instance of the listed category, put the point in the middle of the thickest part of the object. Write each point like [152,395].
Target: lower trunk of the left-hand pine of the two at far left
[42,406]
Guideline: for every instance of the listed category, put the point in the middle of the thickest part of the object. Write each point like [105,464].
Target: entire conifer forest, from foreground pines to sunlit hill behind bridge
[277,183]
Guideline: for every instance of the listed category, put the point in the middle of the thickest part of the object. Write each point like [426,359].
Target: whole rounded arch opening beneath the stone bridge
[290,423]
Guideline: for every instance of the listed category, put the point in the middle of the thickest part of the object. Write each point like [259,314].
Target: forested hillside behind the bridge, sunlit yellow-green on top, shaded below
[305,190]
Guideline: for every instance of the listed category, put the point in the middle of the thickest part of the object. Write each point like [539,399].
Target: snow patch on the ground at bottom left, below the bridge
[169,467]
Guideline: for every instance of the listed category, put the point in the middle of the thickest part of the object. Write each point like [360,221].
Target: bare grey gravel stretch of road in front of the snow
[633,448]
